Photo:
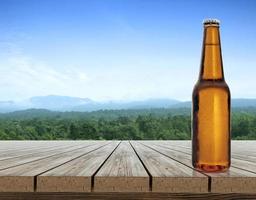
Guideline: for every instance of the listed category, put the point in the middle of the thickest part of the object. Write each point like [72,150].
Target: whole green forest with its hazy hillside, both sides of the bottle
[153,124]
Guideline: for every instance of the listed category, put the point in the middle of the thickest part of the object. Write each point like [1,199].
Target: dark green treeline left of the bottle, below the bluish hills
[122,128]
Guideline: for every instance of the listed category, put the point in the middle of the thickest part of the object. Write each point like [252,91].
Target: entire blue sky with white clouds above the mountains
[120,49]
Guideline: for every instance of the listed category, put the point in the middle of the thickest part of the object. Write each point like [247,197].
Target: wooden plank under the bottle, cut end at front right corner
[233,180]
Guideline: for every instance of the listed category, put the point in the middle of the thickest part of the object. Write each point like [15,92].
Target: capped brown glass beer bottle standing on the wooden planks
[211,107]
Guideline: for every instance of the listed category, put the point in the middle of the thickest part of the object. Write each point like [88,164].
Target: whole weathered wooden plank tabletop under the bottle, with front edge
[109,167]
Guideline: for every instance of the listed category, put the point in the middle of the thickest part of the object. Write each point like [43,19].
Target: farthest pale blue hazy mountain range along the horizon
[66,103]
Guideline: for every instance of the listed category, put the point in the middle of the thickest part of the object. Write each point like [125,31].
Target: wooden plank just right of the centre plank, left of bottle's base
[169,175]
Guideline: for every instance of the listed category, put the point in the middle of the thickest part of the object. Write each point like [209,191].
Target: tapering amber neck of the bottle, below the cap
[211,63]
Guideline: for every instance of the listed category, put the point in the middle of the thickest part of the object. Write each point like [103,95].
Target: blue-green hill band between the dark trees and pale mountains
[108,114]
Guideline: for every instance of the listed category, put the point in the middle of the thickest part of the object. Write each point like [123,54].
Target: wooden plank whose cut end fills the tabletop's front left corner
[22,178]
